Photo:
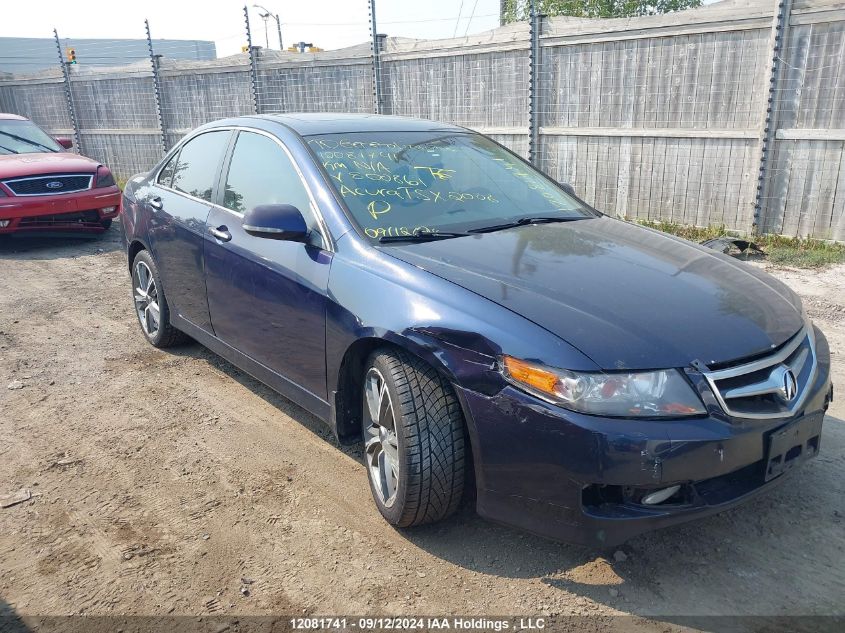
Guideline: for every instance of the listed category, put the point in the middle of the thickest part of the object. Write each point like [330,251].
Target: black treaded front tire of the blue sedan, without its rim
[429,430]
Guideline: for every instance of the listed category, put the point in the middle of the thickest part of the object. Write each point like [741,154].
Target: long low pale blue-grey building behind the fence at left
[31,54]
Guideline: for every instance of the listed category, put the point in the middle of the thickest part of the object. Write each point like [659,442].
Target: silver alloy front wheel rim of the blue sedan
[380,442]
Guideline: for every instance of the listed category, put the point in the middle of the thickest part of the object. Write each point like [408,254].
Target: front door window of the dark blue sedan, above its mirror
[261,173]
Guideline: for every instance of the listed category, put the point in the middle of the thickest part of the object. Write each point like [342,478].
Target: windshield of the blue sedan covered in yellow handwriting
[398,183]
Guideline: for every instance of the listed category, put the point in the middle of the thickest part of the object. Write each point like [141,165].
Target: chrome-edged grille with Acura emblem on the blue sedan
[772,387]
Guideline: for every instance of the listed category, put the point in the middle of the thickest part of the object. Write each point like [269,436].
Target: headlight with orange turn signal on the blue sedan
[663,393]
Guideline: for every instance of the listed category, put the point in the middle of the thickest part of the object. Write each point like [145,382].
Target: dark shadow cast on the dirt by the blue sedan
[664,572]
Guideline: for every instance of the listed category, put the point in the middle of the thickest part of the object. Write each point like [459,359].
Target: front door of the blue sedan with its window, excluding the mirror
[266,297]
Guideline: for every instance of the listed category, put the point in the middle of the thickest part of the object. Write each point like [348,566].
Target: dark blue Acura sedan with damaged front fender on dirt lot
[424,290]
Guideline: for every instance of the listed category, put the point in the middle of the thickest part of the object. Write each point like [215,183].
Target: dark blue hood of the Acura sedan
[625,296]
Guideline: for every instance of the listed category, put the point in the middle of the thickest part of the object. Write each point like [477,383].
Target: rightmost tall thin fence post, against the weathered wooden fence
[780,26]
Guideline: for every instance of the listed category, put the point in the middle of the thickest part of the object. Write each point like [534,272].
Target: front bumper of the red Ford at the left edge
[84,211]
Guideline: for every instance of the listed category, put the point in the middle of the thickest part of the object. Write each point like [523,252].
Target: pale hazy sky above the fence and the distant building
[326,23]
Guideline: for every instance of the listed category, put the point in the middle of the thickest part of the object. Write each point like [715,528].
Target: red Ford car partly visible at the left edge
[43,187]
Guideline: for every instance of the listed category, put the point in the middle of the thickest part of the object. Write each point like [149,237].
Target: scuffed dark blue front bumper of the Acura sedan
[579,478]
